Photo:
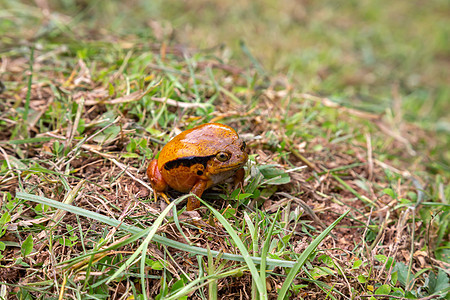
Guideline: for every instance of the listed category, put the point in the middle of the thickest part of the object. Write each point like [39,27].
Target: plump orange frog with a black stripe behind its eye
[197,159]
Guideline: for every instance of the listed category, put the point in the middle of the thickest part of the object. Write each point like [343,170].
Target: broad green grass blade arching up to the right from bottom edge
[301,261]
